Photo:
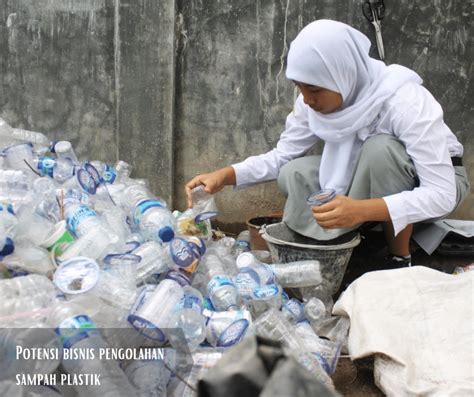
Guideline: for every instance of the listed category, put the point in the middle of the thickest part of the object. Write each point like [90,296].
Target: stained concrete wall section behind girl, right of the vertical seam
[233,98]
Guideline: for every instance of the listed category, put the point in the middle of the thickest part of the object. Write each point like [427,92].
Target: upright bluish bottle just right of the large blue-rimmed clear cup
[187,324]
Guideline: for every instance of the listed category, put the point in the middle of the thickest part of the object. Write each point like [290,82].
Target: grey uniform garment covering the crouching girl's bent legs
[383,168]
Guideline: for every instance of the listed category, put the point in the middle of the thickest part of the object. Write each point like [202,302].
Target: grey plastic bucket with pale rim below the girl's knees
[287,246]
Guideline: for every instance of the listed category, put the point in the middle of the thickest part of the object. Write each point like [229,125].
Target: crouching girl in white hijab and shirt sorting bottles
[387,151]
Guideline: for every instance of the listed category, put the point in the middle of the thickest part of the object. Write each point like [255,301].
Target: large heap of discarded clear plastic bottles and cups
[85,247]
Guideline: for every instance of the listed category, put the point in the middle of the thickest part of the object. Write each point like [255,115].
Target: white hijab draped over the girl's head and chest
[334,56]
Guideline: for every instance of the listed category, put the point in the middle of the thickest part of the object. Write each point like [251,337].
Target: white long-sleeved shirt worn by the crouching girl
[414,117]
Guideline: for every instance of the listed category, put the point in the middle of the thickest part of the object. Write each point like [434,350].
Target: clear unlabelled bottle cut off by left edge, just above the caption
[25,300]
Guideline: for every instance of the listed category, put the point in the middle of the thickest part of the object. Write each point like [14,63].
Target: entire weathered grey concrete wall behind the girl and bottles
[179,87]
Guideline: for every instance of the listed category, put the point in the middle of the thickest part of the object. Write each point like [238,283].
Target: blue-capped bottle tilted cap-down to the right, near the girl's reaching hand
[153,218]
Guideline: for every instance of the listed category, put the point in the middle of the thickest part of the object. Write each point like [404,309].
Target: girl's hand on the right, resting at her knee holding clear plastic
[341,212]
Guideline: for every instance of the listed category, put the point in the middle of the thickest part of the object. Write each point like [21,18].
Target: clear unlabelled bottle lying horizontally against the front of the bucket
[298,274]
